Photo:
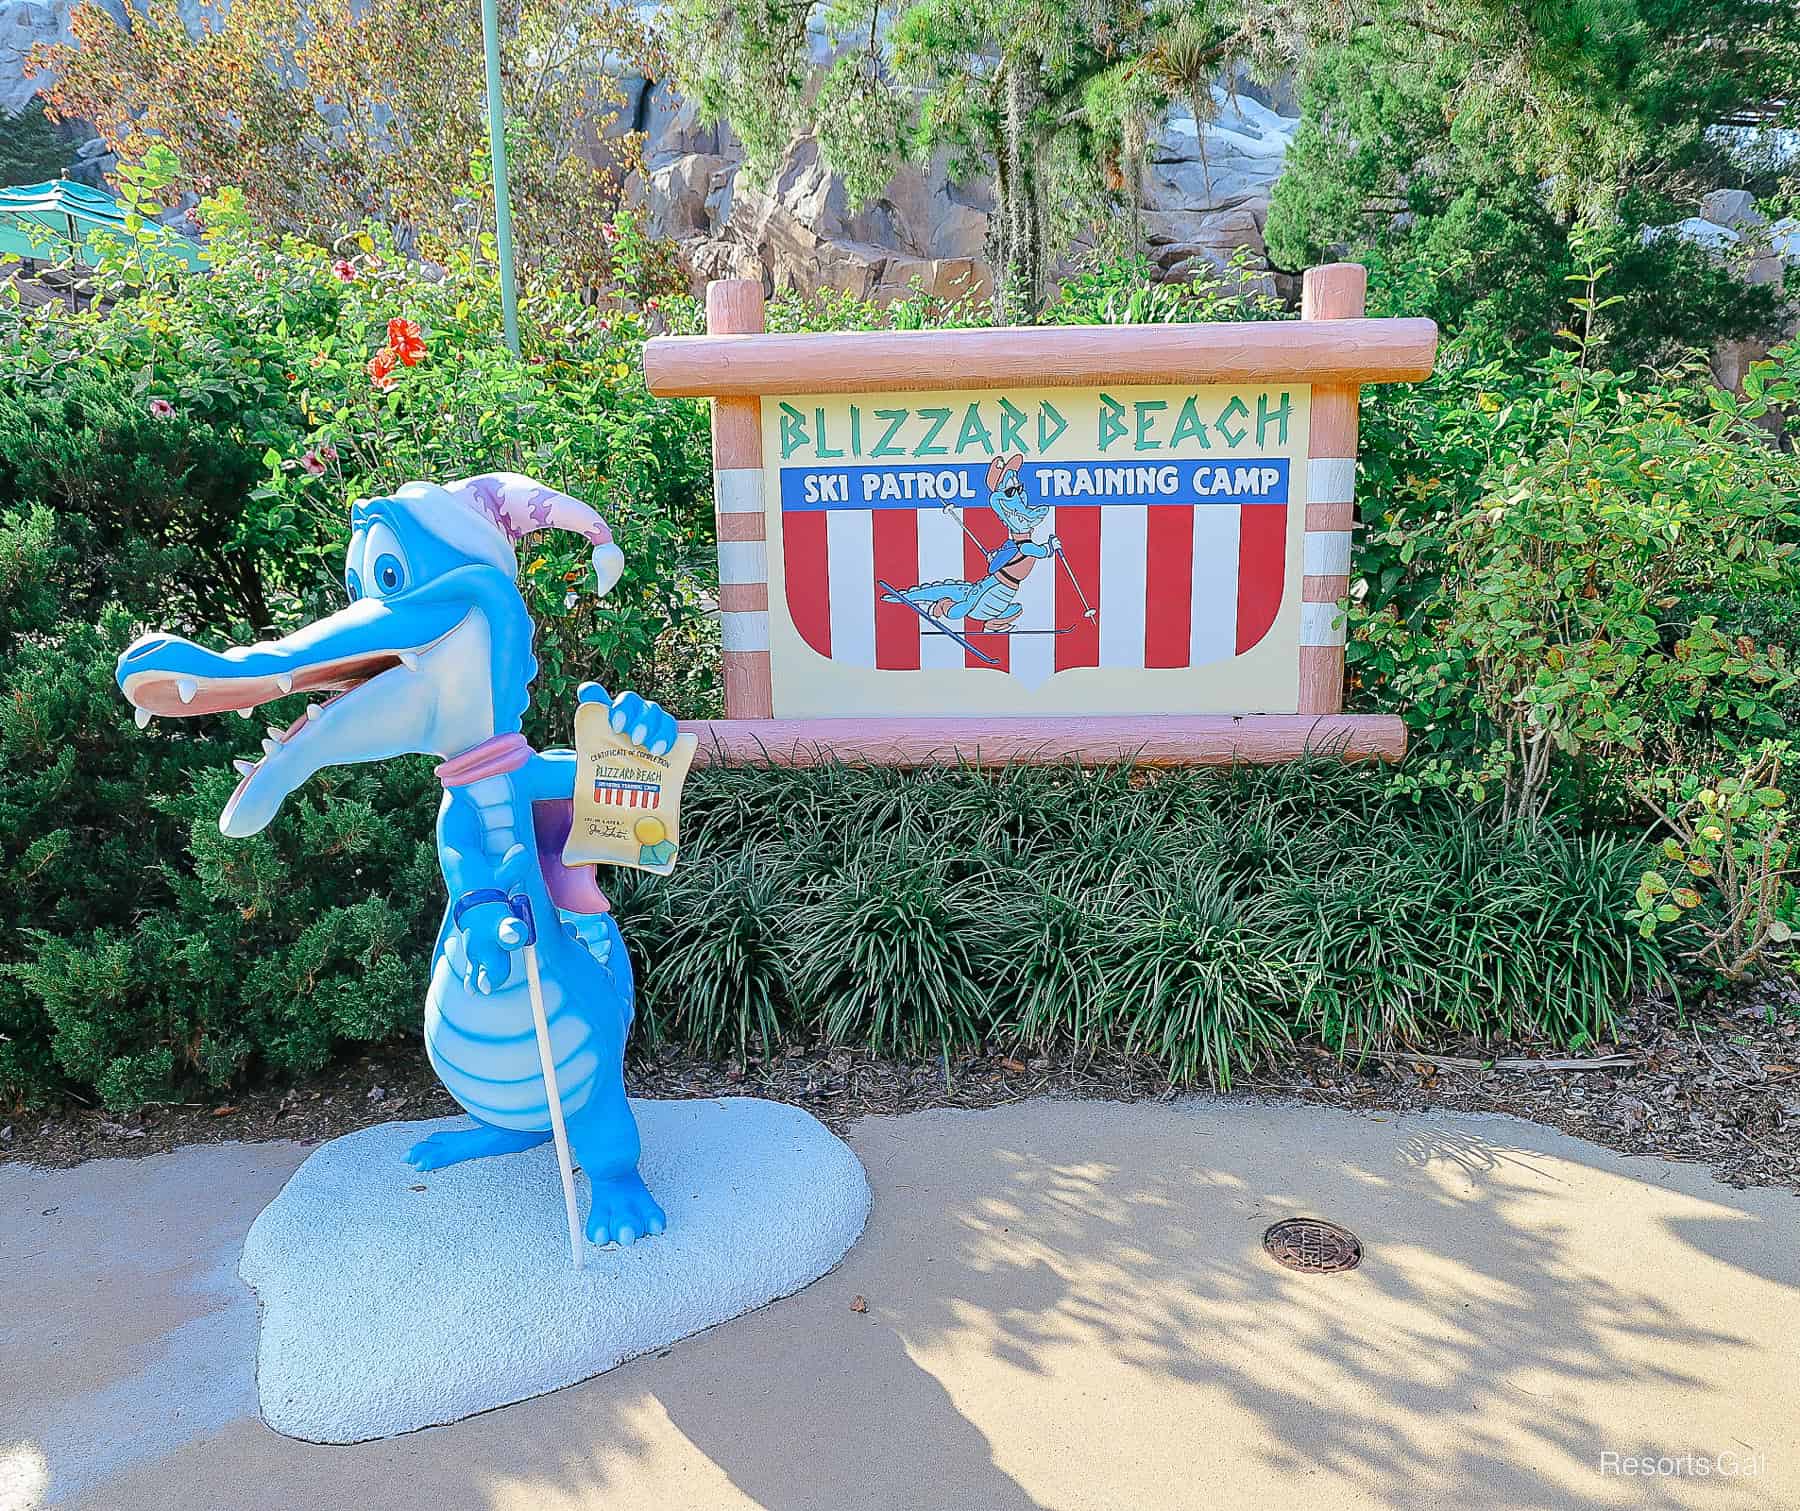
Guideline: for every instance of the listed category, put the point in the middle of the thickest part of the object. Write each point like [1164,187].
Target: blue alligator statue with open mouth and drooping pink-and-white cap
[435,656]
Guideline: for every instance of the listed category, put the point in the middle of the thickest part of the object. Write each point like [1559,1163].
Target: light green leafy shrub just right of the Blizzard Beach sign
[1556,575]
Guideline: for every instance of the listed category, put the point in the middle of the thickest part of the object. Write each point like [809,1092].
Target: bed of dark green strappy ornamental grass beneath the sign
[1203,919]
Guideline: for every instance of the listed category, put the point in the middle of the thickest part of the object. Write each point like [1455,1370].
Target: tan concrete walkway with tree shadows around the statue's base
[1066,1308]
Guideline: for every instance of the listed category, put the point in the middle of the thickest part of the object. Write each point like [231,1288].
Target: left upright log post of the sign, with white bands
[735,307]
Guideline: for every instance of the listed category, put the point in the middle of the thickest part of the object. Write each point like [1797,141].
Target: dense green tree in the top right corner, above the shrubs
[1459,143]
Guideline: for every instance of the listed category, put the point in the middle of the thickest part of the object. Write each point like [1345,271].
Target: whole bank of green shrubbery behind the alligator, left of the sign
[157,469]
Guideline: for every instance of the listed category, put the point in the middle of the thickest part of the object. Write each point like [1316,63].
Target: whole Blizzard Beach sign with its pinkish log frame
[1122,543]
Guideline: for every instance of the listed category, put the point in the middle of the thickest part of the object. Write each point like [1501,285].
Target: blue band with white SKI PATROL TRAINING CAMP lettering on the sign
[1077,484]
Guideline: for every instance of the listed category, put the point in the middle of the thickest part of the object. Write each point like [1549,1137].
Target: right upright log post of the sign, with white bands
[1331,293]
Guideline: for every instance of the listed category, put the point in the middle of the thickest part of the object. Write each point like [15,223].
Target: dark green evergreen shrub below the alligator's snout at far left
[152,955]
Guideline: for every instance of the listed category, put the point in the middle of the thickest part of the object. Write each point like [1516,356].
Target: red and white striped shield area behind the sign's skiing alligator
[1171,584]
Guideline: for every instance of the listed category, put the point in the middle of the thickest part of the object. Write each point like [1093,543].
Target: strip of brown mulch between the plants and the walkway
[1718,1089]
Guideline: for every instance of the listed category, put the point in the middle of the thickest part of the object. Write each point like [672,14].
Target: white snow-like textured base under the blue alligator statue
[395,1301]
